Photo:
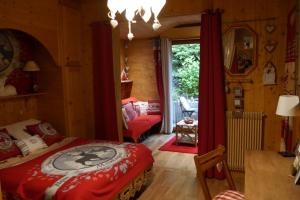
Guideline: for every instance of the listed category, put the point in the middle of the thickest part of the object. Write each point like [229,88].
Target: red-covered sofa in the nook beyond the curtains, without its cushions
[140,124]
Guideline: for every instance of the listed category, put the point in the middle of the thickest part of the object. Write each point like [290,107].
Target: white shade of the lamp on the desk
[286,105]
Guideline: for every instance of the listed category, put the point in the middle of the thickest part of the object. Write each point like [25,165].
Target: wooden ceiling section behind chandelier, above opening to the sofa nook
[144,30]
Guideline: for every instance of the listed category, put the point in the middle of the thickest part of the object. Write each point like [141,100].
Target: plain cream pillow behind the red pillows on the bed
[17,129]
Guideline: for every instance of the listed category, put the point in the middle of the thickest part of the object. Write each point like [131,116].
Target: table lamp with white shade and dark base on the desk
[286,108]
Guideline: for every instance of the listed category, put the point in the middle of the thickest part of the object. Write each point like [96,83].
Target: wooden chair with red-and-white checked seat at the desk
[209,160]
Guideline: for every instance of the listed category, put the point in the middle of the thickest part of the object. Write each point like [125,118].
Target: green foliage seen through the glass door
[186,61]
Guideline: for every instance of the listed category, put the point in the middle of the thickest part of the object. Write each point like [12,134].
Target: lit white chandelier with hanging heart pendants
[144,8]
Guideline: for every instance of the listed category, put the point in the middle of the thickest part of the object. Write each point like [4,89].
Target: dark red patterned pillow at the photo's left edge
[8,148]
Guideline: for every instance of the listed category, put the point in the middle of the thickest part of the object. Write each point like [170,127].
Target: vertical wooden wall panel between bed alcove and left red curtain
[73,81]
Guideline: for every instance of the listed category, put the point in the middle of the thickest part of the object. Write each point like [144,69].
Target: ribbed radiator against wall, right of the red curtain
[243,133]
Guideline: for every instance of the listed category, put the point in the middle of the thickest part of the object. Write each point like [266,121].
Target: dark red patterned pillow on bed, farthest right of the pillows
[45,131]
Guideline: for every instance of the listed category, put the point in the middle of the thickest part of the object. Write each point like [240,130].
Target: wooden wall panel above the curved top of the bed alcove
[37,18]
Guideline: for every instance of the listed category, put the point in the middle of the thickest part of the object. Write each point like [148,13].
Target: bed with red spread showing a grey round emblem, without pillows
[76,168]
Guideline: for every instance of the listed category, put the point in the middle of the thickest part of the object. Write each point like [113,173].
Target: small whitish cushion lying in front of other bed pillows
[31,144]
